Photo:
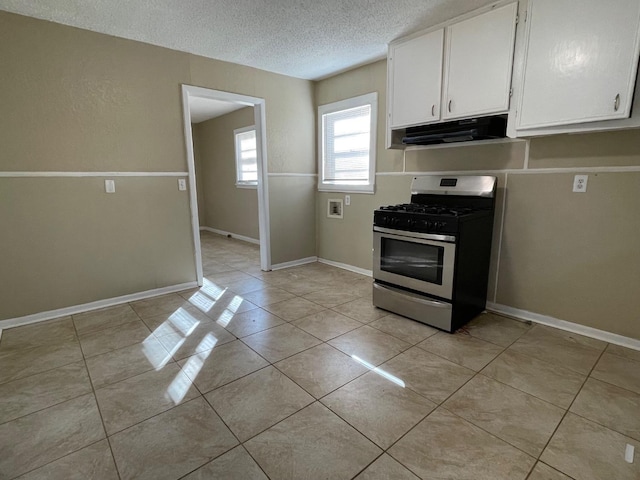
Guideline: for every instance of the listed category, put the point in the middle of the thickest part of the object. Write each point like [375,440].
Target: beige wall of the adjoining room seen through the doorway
[225,207]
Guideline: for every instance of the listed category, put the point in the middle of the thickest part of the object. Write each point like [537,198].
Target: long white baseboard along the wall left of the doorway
[86,307]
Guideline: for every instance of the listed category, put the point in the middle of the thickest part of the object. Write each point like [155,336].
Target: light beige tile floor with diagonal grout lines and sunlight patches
[293,374]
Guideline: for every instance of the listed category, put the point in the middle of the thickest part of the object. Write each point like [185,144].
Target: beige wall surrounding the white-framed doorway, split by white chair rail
[78,101]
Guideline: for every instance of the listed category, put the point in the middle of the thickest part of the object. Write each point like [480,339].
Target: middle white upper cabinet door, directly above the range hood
[479,59]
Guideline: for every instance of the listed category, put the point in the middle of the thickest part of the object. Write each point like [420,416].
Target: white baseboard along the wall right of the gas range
[564,325]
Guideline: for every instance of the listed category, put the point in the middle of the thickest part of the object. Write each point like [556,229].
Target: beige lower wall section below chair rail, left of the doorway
[66,242]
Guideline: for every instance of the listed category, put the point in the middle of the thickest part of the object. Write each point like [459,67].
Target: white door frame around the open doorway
[258,105]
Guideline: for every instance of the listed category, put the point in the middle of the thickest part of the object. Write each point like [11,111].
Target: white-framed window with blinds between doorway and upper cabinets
[347,144]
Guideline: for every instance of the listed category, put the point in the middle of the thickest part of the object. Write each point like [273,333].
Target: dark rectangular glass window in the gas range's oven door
[410,259]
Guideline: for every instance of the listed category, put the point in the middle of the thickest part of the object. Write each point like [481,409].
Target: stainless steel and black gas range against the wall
[431,256]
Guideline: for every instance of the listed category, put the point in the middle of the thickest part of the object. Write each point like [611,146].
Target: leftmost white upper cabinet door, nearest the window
[415,77]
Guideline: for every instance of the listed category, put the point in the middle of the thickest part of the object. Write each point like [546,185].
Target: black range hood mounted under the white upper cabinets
[471,129]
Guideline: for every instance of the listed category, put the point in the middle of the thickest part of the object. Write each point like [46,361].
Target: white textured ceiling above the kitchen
[309,39]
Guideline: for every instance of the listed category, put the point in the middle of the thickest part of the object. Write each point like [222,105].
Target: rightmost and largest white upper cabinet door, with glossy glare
[581,62]
